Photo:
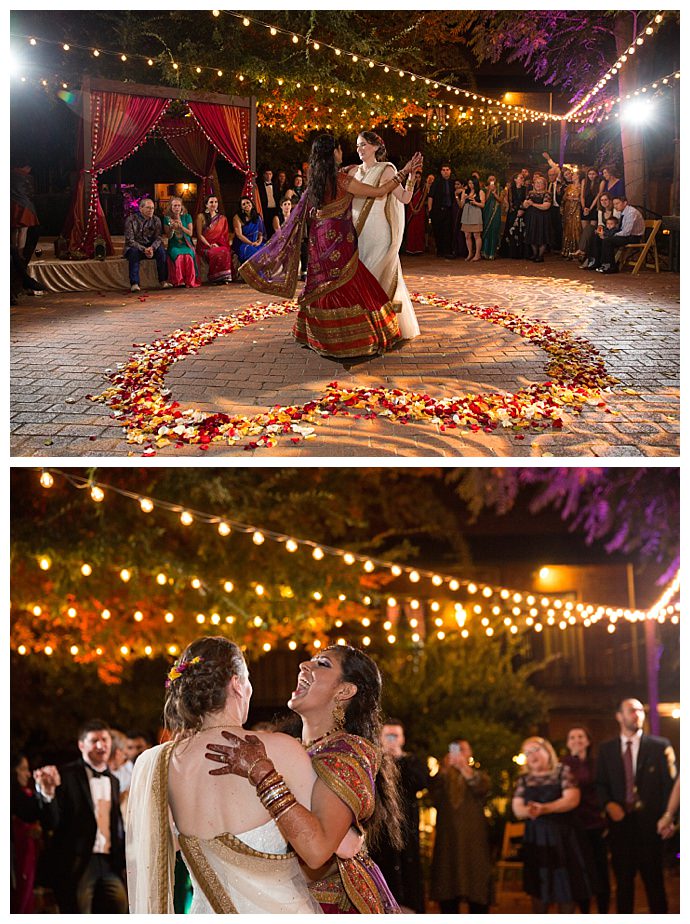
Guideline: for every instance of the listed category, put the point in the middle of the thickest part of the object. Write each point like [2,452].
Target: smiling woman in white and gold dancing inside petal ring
[380,224]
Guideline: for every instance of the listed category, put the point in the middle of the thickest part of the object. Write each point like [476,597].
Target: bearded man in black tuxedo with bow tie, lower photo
[88,843]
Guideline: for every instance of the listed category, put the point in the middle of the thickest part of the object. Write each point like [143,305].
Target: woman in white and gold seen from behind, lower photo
[238,860]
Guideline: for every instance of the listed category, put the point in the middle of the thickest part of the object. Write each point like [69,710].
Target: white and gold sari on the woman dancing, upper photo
[379,238]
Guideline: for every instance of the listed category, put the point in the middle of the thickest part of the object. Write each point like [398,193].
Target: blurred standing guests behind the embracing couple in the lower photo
[592,810]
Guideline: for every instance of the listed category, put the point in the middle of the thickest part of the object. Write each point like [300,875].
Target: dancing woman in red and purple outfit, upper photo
[343,311]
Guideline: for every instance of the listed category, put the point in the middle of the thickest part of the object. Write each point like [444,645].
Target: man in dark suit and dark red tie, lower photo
[635,774]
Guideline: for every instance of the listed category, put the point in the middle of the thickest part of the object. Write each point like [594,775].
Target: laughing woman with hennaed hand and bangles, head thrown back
[337,697]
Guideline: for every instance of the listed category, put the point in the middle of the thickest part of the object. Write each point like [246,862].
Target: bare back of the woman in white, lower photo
[205,806]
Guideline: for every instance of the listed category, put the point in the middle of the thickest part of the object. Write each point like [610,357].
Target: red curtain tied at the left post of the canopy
[119,124]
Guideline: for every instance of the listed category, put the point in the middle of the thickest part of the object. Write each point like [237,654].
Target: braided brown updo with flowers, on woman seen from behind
[201,688]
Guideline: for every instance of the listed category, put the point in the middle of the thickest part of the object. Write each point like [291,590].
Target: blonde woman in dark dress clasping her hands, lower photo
[545,797]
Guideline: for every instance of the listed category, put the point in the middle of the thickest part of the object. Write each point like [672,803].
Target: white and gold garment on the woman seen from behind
[250,873]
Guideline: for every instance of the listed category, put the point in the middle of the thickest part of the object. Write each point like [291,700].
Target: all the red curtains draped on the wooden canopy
[120,123]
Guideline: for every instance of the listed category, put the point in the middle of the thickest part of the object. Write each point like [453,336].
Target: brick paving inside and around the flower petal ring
[62,343]
